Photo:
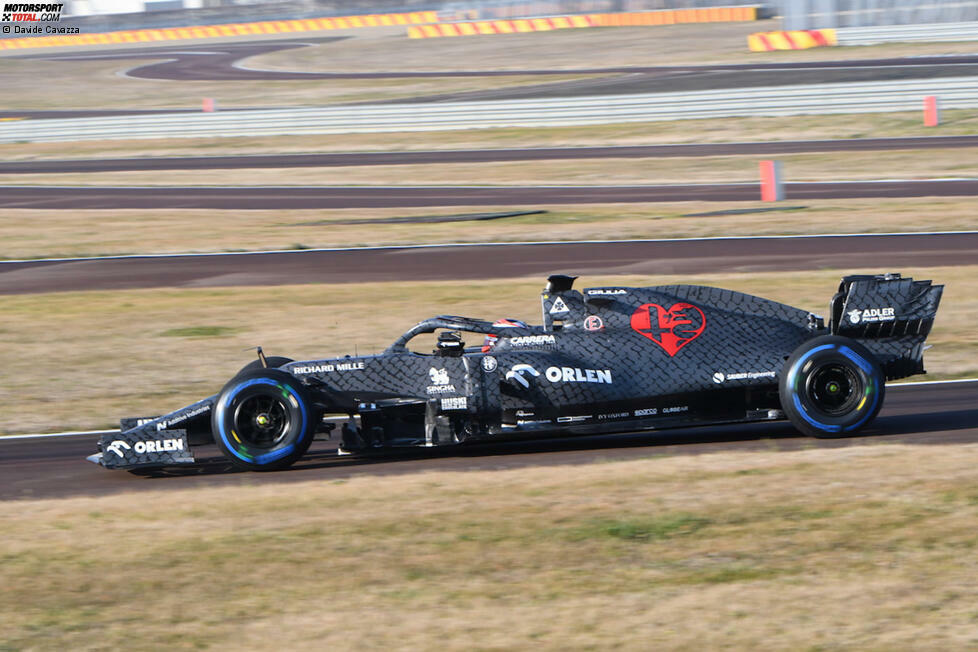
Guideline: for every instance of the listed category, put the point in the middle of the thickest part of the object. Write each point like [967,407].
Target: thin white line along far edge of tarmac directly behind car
[483,244]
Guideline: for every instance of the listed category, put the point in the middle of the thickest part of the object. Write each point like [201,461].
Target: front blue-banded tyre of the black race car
[264,420]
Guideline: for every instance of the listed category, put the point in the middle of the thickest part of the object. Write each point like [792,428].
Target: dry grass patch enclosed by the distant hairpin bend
[668,45]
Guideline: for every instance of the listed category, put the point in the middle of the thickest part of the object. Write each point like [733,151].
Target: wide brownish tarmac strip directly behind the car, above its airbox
[482,262]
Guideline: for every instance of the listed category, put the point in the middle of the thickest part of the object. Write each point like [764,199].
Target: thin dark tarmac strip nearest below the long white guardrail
[479,155]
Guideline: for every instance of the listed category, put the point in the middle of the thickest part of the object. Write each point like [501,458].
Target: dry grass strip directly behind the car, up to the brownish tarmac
[82,360]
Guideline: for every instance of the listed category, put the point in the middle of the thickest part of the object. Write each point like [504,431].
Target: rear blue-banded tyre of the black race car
[831,386]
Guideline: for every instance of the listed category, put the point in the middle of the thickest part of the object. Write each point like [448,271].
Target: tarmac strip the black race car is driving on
[55,468]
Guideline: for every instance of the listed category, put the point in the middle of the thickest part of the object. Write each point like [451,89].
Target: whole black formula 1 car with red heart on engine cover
[608,359]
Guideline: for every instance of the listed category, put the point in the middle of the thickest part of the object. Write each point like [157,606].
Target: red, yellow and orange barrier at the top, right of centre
[623,19]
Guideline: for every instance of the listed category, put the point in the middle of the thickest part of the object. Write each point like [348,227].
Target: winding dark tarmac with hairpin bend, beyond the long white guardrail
[222,62]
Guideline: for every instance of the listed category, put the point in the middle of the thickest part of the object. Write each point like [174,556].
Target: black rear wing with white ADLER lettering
[890,314]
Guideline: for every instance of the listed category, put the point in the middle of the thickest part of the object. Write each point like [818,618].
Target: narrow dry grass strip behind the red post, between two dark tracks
[903,164]
